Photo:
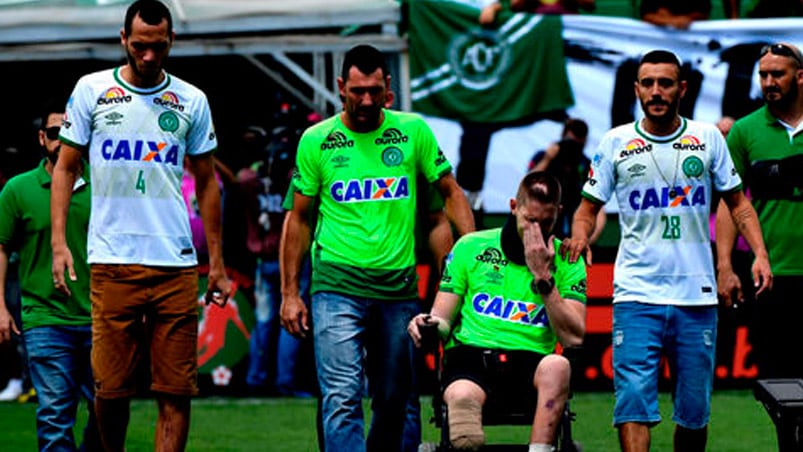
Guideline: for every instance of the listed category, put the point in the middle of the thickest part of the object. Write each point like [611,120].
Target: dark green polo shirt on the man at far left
[25,226]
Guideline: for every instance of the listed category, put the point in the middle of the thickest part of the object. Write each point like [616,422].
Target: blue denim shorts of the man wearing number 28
[686,336]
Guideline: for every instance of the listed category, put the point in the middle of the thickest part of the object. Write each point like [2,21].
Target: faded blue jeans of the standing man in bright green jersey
[355,336]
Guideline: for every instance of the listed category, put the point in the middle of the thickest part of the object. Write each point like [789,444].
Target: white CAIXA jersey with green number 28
[663,186]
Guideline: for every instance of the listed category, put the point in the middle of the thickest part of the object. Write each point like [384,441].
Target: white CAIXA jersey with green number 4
[137,139]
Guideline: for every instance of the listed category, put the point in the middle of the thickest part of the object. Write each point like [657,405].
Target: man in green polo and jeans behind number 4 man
[56,327]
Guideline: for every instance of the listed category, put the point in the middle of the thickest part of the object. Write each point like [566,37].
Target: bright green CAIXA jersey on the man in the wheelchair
[498,308]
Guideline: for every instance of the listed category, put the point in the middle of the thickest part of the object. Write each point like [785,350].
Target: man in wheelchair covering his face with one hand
[505,299]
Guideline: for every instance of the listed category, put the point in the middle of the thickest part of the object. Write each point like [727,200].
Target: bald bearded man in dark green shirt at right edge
[767,151]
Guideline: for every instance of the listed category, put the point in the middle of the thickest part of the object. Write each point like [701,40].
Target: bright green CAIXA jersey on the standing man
[364,237]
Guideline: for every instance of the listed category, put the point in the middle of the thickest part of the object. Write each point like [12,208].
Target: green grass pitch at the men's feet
[738,423]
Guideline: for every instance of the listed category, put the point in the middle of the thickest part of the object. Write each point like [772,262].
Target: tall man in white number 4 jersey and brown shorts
[137,123]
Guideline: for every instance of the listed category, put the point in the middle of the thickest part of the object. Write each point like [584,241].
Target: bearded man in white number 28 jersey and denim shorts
[662,170]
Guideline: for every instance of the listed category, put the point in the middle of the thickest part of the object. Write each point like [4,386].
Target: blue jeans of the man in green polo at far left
[61,373]
